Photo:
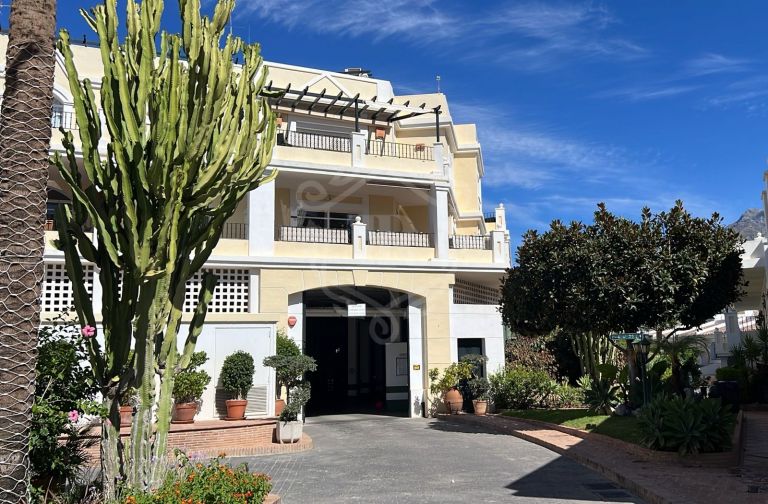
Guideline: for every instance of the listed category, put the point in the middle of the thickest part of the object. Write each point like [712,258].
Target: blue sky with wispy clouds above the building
[631,103]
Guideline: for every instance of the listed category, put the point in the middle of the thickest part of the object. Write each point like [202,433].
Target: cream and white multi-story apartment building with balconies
[370,249]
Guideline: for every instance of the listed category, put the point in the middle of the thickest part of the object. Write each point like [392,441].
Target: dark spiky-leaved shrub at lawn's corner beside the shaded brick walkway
[686,426]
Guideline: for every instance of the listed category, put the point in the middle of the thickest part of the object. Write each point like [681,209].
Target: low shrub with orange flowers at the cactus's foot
[209,482]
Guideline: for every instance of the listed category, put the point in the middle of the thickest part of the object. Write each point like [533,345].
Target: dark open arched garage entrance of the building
[359,337]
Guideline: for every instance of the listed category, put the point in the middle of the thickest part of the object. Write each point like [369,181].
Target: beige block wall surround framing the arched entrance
[277,284]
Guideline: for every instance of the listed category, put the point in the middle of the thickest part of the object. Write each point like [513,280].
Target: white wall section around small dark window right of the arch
[479,321]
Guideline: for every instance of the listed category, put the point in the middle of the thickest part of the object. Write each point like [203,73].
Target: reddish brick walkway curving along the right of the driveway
[655,481]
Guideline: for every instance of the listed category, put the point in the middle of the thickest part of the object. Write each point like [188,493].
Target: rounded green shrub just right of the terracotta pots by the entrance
[520,388]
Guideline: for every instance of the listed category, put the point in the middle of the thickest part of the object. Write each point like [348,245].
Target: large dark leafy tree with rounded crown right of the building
[667,270]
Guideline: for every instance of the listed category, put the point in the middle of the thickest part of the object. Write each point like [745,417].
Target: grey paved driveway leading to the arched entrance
[399,460]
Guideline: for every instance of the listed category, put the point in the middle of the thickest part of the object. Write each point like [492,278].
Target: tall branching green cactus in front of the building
[188,135]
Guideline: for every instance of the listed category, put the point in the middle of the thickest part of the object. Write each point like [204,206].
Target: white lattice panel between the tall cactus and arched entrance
[230,296]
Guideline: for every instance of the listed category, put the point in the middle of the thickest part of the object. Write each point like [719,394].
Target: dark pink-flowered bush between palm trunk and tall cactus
[63,386]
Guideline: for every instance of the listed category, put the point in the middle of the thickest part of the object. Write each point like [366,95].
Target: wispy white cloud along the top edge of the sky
[533,35]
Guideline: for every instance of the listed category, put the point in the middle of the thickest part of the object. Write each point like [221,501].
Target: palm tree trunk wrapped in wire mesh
[25,134]
